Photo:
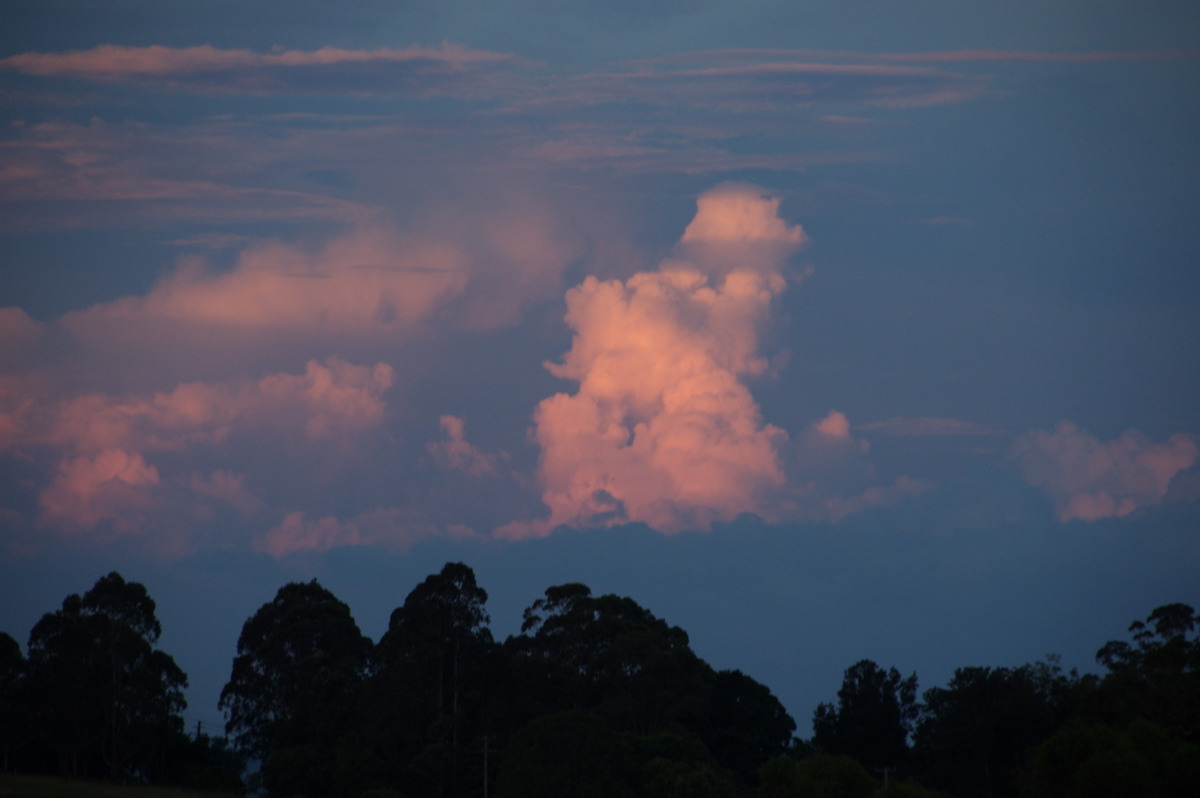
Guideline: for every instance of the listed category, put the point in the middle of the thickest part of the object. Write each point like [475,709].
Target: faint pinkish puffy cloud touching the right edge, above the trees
[1090,479]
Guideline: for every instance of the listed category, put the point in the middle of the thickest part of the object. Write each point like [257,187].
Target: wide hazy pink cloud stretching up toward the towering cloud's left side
[373,284]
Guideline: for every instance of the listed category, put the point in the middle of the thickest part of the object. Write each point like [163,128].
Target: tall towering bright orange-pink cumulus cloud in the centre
[663,430]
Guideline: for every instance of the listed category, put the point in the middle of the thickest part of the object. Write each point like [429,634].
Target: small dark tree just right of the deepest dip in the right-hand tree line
[873,718]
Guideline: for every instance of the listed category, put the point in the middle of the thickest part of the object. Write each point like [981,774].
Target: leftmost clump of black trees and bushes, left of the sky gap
[98,698]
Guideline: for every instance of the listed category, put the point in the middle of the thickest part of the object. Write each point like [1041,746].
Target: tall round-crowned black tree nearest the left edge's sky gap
[99,682]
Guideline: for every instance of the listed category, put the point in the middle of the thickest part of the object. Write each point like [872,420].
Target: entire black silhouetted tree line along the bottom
[596,697]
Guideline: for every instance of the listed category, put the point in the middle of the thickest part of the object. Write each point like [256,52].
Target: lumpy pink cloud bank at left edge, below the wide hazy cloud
[105,477]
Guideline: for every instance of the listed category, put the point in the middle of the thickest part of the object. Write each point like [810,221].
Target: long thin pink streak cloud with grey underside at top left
[205,68]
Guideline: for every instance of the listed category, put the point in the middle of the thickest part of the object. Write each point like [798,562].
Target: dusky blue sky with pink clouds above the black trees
[824,331]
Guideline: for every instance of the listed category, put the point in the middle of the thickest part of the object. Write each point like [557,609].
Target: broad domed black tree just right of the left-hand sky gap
[293,697]
